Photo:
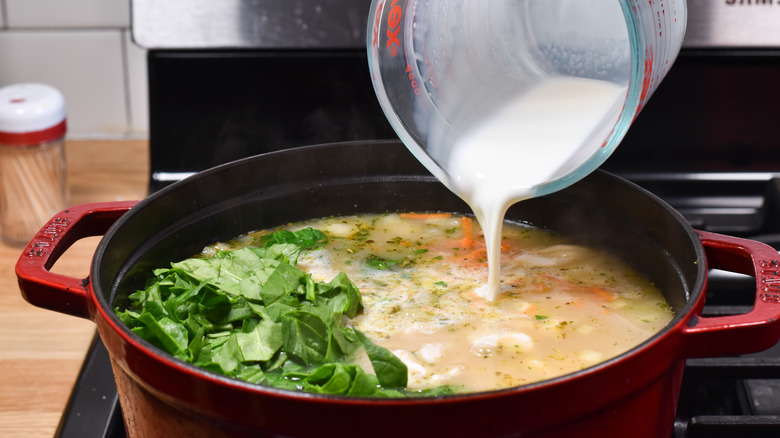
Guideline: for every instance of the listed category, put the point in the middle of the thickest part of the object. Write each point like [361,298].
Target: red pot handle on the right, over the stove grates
[754,331]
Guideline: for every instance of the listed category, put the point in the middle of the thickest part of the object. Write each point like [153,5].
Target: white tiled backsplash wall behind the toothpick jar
[83,48]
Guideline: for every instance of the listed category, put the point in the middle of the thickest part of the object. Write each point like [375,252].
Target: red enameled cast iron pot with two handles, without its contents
[634,394]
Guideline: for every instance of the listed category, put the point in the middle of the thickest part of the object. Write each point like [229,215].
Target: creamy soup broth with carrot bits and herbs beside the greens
[562,307]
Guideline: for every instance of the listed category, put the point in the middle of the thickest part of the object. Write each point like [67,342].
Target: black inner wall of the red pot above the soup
[368,177]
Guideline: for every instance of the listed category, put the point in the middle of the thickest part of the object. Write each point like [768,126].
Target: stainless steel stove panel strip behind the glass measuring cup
[264,24]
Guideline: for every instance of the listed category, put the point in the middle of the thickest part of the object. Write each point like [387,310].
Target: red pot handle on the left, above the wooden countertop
[47,289]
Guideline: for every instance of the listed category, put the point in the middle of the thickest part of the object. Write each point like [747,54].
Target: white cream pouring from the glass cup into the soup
[536,138]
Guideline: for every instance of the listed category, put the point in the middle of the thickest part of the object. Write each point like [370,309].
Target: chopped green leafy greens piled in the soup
[251,314]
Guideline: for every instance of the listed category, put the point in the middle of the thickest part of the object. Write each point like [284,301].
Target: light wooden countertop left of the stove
[41,351]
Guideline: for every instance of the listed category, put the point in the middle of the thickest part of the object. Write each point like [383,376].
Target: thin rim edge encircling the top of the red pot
[693,296]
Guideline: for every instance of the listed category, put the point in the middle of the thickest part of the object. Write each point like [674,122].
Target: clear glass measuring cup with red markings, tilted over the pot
[439,66]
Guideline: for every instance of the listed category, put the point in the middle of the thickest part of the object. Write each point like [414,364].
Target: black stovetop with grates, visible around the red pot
[720,397]
